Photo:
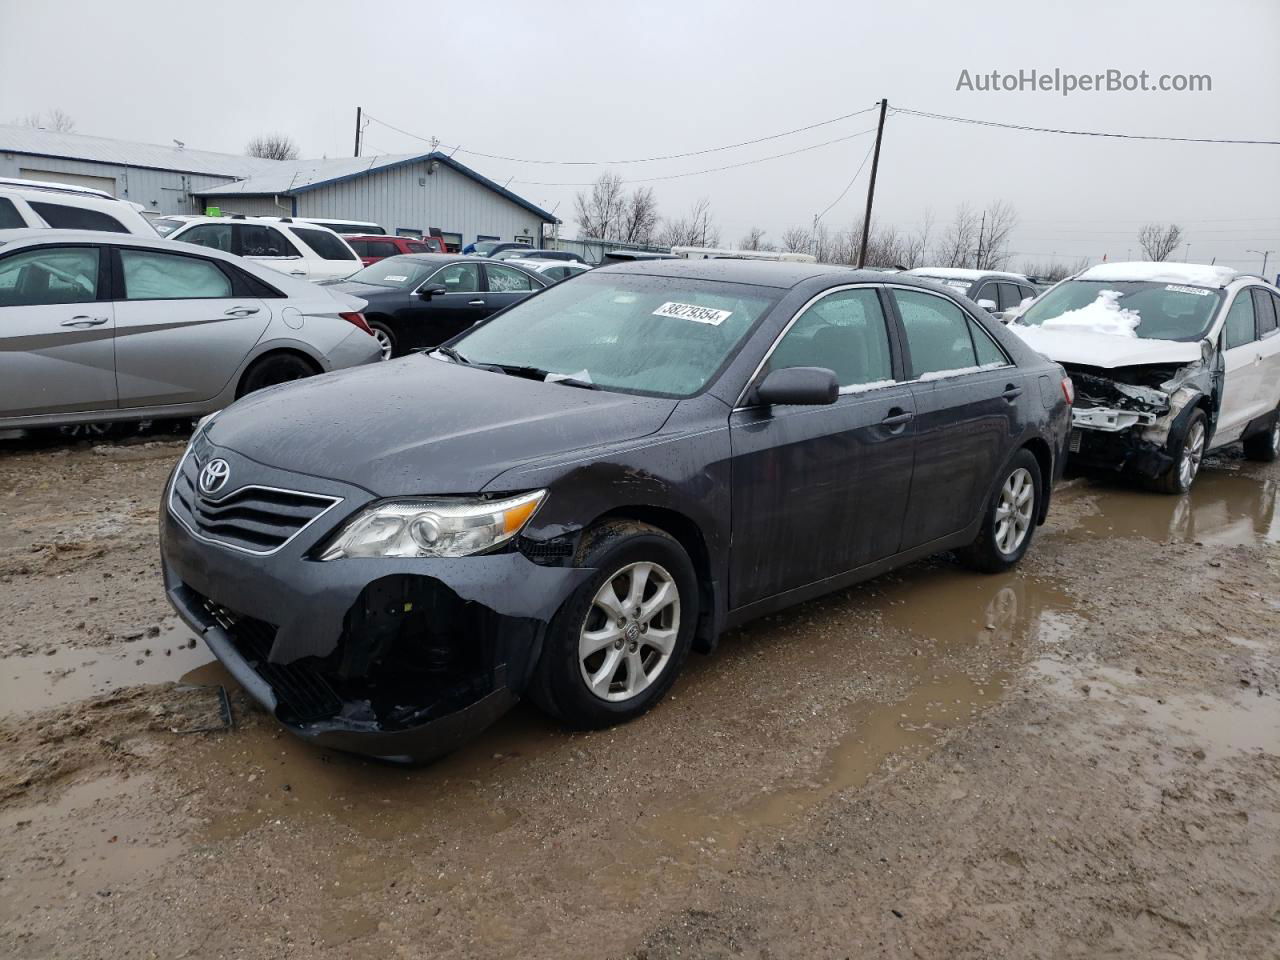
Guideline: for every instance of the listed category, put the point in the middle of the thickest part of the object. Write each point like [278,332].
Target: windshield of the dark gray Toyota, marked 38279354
[659,336]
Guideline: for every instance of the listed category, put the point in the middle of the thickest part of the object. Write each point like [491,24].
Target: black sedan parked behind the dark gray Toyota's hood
[423,300]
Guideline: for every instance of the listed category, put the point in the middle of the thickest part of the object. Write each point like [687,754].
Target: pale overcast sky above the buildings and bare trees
[591,81]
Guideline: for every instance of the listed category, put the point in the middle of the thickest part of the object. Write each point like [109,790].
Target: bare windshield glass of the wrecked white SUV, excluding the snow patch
[1168,312]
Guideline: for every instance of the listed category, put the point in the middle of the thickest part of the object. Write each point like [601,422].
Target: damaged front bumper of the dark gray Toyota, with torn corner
[403,660]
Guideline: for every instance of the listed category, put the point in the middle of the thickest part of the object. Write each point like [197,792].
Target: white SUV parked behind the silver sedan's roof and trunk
[303,250]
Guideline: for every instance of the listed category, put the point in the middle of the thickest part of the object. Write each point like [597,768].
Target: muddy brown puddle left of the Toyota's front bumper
[40,682]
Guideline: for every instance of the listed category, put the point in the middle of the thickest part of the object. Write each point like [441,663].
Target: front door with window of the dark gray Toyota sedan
[819,491]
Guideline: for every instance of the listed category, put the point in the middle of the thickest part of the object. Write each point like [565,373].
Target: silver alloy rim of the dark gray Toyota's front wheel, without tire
[630,632]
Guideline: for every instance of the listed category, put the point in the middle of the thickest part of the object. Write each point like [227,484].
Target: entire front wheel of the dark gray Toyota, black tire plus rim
[623,552]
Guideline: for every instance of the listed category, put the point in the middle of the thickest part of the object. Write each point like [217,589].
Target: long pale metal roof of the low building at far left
[77,147]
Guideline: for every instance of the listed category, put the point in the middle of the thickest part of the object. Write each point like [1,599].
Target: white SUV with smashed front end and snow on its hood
[1169,362]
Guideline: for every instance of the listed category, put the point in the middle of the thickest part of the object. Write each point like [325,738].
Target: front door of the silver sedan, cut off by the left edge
[57,326]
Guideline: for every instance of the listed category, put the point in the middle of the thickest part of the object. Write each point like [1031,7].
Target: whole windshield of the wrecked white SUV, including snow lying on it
[1155,312]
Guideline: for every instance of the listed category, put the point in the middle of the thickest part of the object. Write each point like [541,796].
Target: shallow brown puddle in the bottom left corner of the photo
[84,845]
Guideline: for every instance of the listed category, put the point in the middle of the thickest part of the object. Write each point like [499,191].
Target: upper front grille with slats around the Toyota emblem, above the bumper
[253,519]
